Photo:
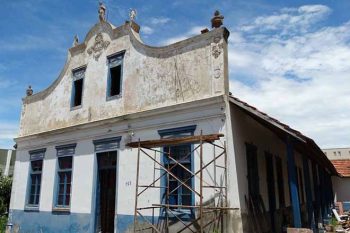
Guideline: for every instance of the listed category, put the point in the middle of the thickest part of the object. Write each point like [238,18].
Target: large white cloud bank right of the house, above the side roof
[301,77]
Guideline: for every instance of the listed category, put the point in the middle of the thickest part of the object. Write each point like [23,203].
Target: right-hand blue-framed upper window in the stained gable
[115,74]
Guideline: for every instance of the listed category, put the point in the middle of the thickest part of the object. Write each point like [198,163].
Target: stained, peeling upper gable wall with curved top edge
[152,78]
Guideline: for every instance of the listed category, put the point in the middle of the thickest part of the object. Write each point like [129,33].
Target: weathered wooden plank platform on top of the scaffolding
[175,141]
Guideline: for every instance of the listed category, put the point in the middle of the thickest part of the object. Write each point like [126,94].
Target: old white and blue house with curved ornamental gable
[131,137]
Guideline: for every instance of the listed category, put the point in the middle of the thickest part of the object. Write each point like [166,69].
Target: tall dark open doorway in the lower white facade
[106,191]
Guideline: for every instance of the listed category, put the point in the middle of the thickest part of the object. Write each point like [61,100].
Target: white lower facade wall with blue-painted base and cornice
[209,117]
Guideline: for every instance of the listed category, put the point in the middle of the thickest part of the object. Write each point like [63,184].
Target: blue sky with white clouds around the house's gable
[289,58]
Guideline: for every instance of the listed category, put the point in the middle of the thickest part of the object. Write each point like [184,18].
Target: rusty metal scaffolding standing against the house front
[210,196]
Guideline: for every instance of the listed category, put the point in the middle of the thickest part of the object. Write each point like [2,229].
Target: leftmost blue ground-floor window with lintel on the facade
[36,165]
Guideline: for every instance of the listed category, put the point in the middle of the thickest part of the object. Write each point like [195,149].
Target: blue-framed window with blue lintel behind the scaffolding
[178,193]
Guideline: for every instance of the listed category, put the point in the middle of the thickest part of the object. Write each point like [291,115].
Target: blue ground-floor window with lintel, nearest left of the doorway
[64,174]
